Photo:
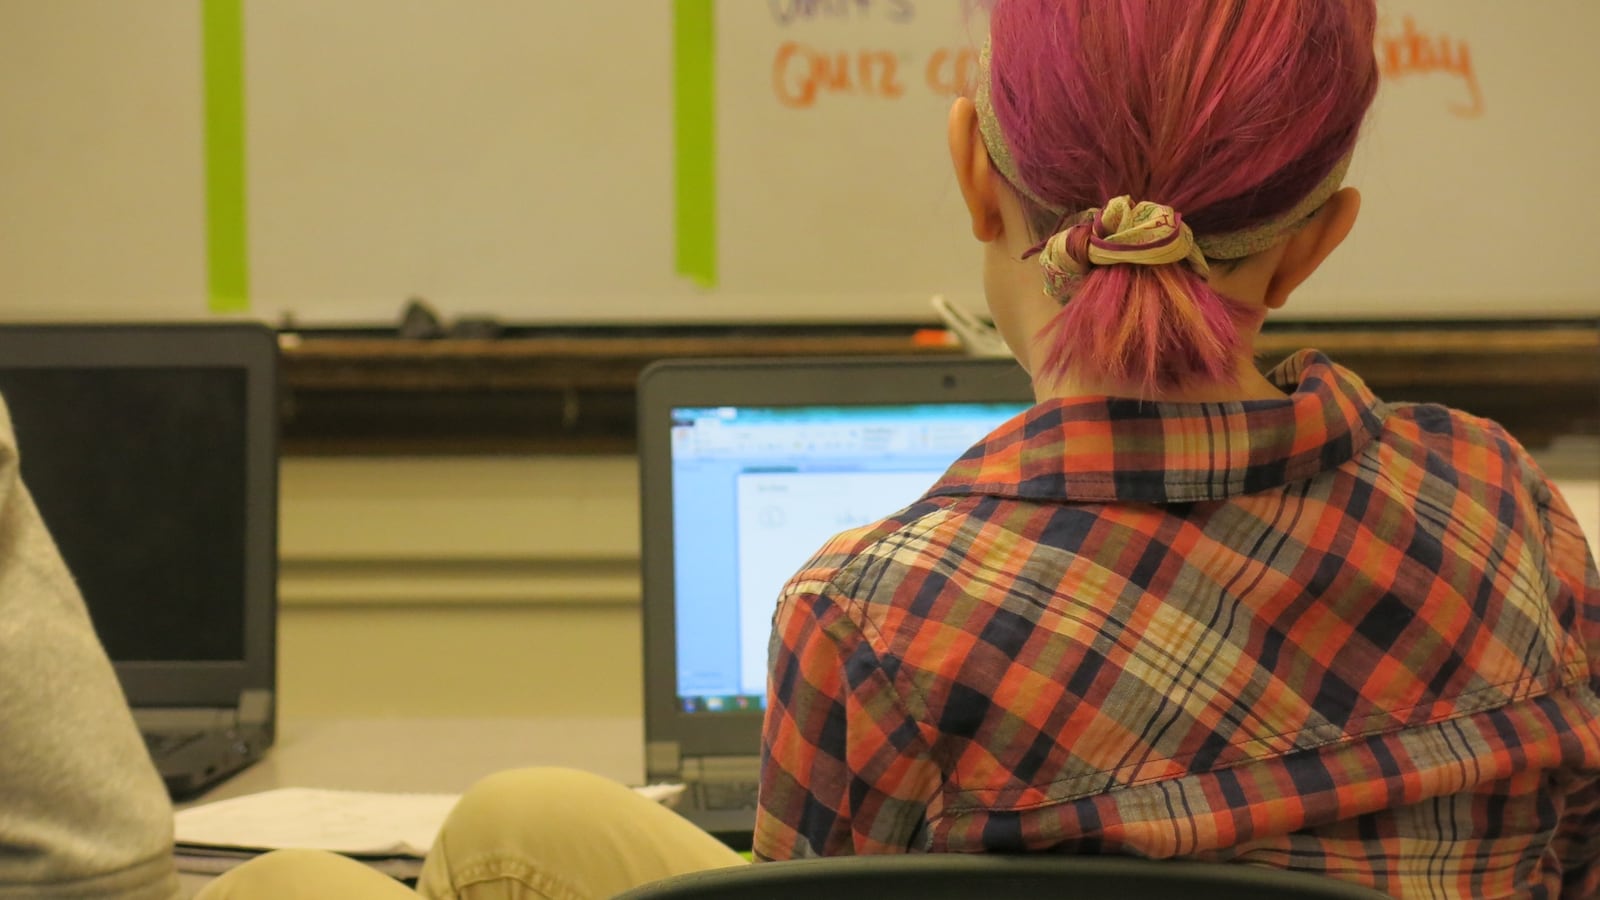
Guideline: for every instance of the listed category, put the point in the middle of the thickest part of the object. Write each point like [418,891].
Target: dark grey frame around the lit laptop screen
[673,385]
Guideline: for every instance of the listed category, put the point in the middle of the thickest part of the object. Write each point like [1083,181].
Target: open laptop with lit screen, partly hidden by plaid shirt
[746,468]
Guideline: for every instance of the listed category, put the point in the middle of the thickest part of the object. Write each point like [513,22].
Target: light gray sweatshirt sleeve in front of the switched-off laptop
[82,810]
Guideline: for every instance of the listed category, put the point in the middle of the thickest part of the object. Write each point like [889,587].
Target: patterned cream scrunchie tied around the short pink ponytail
[1122,233]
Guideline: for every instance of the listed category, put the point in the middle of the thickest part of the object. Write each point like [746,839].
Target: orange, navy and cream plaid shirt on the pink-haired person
[1321,633]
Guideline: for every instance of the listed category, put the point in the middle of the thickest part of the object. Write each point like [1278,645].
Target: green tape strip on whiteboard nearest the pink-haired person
[695,119]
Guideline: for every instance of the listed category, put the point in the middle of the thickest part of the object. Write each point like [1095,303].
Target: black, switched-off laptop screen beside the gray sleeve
[140,475]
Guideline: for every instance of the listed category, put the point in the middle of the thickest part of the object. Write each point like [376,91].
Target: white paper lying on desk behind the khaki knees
[359,824]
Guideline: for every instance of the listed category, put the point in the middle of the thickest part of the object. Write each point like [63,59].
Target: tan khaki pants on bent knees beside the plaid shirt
[534,834]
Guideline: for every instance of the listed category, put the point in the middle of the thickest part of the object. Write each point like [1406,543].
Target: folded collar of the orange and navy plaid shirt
[1110,449]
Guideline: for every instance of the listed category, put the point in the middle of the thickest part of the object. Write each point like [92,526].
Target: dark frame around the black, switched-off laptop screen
[254,350]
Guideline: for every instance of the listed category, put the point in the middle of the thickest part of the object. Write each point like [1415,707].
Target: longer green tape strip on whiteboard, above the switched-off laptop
[228,251]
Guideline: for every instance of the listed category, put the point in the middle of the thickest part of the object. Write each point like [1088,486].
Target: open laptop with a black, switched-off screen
[151,452]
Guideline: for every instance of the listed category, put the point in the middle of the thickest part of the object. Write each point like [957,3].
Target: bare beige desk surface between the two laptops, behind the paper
[433,755]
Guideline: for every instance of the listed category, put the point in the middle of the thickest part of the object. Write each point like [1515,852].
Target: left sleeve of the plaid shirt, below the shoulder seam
[846,769]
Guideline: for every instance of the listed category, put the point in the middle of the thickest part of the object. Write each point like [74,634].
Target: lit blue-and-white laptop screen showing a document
[758,491]
